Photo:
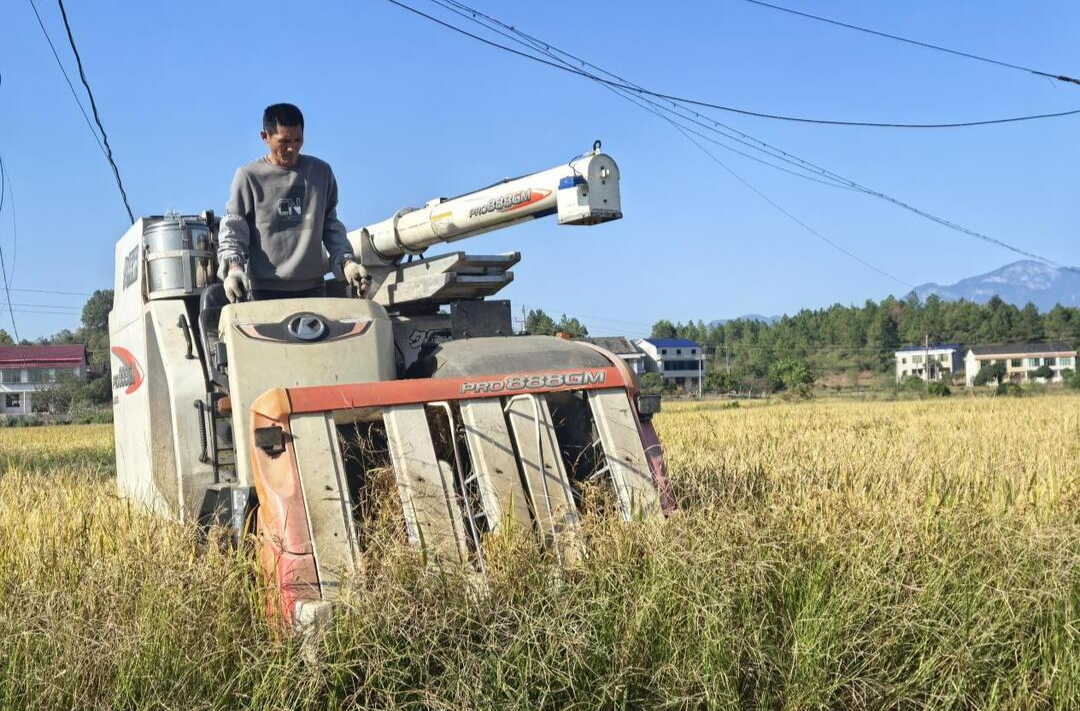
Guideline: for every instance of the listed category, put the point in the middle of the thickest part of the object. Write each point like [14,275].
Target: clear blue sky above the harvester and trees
[406,111]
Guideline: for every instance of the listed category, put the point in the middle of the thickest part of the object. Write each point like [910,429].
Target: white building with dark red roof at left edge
[26,369]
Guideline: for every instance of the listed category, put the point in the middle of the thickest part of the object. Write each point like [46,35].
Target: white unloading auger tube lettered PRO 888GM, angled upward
[585,192]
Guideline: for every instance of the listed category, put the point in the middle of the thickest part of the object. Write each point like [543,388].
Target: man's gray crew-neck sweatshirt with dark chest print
[279,220]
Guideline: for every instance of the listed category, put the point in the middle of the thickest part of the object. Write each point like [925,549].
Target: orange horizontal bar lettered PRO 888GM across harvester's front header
[317,399]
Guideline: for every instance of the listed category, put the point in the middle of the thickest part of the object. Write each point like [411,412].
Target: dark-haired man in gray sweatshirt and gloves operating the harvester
[282,212]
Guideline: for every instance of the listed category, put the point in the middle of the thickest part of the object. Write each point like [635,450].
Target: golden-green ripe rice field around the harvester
[828,555]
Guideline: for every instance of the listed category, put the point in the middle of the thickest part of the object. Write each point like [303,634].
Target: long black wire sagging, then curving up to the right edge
[777,117]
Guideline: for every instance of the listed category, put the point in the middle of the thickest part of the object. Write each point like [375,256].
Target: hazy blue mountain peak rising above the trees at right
[1017,284]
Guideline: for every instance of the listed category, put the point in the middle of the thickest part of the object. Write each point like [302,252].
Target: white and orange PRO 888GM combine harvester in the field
[228,410]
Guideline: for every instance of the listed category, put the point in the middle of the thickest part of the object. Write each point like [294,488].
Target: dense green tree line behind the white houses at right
[841,339]
